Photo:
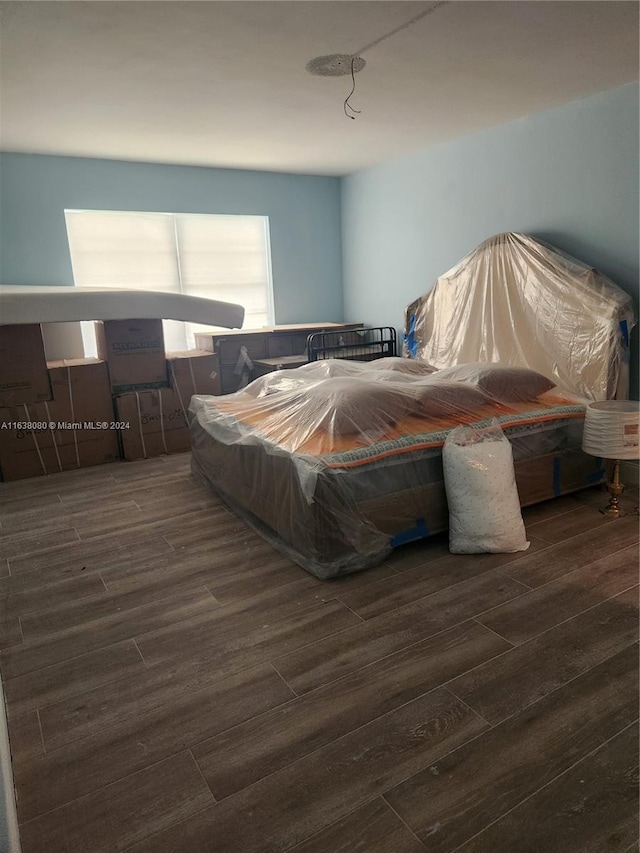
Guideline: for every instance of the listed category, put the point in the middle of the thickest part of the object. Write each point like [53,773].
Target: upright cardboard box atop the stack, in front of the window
[134,352]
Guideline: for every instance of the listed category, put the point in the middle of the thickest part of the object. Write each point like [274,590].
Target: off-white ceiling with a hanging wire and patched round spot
[224,83]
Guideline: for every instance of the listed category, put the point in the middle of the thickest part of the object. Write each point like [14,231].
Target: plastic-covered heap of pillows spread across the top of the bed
[330,406]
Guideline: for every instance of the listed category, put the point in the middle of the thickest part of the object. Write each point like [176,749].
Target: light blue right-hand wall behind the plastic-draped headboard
[568,176]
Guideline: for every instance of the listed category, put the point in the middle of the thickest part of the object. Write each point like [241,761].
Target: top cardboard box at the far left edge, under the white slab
[23,367]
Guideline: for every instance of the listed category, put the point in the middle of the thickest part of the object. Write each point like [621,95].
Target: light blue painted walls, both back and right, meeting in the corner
[568,176]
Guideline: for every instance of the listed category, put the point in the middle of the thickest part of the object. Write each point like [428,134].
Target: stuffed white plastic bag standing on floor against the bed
[484,507]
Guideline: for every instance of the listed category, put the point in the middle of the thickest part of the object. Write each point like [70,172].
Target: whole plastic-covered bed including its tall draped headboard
[338,463]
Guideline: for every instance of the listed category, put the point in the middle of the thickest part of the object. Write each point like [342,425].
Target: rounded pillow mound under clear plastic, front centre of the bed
[349,405]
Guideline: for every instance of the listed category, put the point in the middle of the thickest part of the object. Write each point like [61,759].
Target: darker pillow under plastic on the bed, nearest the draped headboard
[501,381]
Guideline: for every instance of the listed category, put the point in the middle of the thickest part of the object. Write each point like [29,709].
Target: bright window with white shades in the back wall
[216,257]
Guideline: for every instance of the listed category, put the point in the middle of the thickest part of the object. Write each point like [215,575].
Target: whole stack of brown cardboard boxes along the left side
[130,403]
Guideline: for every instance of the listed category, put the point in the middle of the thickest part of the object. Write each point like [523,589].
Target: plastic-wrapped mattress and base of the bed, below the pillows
[343,510]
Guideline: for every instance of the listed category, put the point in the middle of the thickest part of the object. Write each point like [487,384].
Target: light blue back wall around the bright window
[303,211]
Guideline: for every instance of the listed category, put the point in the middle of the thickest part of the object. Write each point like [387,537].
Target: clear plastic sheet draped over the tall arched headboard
[519,301]
